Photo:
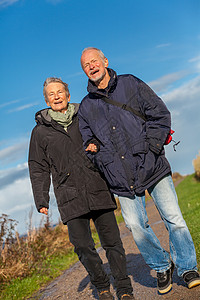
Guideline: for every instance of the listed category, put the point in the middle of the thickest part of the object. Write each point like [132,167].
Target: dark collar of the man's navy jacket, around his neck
[93,89]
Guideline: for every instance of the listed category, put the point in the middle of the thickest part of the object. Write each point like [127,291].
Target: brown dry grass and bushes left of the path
[20,256]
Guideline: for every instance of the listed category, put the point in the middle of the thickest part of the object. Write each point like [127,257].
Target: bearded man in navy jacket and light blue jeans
[124,125]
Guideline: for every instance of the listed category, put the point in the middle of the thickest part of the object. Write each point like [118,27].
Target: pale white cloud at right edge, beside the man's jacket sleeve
[184,105]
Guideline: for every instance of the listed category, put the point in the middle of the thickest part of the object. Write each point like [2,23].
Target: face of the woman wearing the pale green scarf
[56,97]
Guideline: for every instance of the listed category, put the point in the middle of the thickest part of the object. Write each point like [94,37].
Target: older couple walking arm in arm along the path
[112,144]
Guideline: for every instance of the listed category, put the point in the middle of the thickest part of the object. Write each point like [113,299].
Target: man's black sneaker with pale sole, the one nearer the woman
[164,280]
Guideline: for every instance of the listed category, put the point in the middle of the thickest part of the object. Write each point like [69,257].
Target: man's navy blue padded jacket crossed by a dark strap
[131,153]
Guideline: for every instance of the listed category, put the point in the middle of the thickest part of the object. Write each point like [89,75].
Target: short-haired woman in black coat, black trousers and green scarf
[81,193]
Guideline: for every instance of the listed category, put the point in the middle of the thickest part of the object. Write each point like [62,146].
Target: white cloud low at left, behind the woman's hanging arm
[16,200]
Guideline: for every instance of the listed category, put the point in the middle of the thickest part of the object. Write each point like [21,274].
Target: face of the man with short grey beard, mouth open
[93,65]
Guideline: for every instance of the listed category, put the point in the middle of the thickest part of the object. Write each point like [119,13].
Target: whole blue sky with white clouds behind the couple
[157,41]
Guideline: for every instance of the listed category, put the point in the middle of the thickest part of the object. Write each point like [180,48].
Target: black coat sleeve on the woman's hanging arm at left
[39,171]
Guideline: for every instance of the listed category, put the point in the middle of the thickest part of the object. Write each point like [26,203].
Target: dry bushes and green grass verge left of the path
[28,263]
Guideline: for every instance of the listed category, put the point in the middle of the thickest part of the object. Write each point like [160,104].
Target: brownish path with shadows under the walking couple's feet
[75,284]
